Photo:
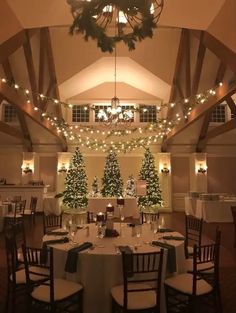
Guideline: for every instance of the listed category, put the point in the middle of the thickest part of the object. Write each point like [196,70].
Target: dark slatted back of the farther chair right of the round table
[193,231]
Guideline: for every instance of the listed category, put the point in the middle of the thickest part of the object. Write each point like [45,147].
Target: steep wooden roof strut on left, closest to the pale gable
[52,69]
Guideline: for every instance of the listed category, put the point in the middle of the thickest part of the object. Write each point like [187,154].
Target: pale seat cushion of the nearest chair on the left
[62,290]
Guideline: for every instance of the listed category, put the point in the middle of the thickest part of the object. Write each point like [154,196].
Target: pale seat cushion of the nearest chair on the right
[184,283]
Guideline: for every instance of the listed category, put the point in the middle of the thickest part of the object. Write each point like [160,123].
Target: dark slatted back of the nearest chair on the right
[209,256]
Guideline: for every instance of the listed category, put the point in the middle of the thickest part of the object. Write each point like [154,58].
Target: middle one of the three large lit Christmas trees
[112,184]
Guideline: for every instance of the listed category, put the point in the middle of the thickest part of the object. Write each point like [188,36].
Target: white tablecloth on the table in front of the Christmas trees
[99,205]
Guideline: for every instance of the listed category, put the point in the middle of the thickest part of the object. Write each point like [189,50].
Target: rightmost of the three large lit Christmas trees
[149,173]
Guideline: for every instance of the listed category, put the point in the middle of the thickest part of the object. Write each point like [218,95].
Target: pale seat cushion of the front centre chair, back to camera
[136,300]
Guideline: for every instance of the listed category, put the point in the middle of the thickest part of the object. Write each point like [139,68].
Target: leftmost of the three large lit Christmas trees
[75,194]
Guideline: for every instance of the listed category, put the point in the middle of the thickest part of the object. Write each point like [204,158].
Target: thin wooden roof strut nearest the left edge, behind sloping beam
[27,142]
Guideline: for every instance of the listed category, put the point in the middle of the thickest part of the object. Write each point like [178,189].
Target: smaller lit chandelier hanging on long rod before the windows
[115,114]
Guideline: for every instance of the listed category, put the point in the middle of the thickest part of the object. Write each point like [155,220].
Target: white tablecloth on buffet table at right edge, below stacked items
[215,211]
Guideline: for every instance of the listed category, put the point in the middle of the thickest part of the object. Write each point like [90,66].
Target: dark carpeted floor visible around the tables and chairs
[173,220]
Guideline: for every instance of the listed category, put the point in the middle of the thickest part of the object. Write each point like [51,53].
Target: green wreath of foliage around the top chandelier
[84,13]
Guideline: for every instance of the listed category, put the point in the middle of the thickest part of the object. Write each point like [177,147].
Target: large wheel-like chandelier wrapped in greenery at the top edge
[134,19]
